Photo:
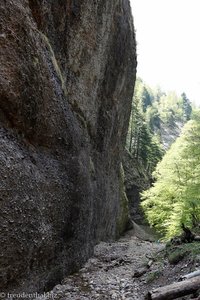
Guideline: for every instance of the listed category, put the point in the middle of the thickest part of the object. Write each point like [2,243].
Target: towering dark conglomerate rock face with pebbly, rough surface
[67,71]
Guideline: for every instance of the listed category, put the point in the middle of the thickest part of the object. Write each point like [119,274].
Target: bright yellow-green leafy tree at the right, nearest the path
[174,198]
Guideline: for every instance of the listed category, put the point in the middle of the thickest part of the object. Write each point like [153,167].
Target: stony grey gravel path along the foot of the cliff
[109,274]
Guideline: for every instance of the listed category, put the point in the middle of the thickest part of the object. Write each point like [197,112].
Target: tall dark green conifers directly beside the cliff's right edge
[141,142]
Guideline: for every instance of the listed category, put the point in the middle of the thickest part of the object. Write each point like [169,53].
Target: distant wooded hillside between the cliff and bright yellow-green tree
[154,114]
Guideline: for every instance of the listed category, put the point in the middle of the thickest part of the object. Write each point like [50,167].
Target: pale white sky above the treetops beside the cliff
[168,44]
